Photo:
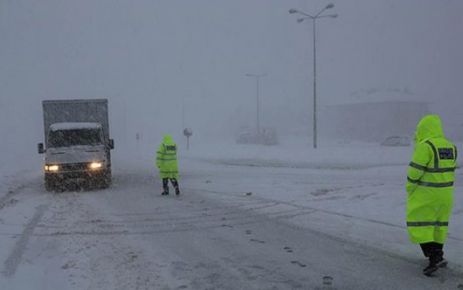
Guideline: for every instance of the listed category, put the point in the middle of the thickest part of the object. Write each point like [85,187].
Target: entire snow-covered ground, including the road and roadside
[254,218]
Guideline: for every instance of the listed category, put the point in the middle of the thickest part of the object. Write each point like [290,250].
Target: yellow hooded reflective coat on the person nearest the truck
[166,158]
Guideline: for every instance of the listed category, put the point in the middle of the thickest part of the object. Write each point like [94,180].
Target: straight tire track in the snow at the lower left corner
[14,259]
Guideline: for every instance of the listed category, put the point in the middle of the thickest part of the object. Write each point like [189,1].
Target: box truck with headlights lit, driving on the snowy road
[77,143]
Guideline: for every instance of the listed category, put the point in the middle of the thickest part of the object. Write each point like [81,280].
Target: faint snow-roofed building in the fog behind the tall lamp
[374,115]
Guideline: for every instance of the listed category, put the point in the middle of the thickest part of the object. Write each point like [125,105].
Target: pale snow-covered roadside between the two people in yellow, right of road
[356,190]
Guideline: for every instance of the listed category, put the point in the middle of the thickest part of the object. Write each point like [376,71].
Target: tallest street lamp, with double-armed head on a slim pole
[304,17]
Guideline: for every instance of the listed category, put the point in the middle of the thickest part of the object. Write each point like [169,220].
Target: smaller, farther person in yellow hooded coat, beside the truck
[166,161]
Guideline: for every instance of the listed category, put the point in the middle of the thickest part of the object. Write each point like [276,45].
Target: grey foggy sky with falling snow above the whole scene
[154,60]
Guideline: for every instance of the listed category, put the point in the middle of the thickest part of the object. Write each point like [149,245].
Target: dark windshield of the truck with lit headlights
[66,138]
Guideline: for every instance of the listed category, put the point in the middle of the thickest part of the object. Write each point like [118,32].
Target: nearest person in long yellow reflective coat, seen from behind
[430,179]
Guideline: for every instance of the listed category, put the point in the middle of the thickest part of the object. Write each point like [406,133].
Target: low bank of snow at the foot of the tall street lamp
[299,154]
